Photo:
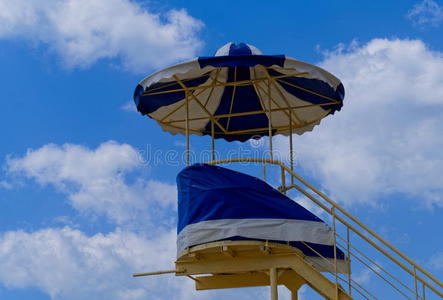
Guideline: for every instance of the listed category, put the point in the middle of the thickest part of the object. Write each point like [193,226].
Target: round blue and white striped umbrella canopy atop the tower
[239,93]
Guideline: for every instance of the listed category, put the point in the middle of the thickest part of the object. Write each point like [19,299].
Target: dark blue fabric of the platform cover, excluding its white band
[207,192]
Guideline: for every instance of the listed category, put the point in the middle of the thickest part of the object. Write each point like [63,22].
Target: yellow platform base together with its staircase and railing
[235,264]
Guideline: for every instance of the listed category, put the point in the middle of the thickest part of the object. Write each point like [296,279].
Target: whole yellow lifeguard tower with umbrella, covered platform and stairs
[235,230]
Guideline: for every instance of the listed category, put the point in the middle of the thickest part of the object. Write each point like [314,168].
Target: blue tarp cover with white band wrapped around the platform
[216,204]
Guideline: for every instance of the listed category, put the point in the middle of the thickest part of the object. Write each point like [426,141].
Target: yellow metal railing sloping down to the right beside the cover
[372,242]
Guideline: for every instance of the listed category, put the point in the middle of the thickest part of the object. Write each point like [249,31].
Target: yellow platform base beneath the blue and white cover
[236,264]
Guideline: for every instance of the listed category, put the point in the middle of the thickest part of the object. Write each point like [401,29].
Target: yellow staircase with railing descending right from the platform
[399,277]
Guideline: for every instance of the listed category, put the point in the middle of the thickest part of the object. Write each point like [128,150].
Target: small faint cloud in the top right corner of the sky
[426,12]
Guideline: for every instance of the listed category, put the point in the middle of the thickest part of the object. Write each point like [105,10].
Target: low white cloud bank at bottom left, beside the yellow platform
[67,264]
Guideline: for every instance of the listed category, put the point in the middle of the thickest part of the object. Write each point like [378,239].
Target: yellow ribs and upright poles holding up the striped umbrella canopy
[191,95]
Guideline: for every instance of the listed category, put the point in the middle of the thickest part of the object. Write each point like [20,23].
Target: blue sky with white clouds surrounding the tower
[83,205]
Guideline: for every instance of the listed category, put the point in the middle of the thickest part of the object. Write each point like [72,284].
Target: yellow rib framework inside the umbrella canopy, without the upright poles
[294,122]
